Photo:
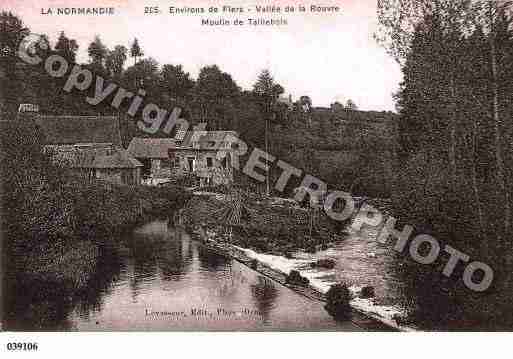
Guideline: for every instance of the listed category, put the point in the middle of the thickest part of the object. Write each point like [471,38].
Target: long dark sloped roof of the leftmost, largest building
[80,129]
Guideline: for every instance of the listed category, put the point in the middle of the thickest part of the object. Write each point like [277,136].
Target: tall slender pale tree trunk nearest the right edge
[501,180]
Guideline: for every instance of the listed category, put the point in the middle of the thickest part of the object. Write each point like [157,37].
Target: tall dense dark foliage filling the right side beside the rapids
[455,164]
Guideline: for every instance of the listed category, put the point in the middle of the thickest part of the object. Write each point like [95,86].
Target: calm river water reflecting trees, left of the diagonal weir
[158,278]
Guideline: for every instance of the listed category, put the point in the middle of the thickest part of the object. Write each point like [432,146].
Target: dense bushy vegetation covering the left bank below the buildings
[53,224]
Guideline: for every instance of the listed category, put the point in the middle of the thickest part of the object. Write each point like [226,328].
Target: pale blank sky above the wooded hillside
[327,56]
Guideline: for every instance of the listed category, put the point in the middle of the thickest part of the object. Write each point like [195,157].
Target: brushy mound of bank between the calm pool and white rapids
[271,225]
